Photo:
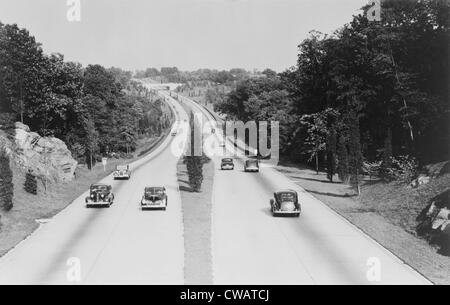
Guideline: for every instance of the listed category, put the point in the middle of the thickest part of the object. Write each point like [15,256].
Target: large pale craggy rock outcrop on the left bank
[46,156]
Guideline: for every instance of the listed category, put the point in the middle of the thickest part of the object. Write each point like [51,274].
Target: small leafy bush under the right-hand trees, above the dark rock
[403,169]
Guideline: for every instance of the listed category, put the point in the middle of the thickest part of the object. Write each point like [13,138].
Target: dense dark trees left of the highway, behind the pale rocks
[94,110]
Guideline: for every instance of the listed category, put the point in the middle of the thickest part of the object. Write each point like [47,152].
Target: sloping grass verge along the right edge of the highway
[385,211]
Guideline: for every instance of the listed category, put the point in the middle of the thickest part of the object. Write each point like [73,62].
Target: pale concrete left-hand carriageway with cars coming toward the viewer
[119,245]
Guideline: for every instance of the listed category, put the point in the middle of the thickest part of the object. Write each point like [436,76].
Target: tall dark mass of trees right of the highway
[371,91]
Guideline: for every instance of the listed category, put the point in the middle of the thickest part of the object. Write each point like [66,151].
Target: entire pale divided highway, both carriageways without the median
[123,245]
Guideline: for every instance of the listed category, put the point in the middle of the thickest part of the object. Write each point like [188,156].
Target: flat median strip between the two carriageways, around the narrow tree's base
[197,226]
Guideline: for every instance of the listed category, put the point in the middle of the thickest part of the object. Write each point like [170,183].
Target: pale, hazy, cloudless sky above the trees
[189,34]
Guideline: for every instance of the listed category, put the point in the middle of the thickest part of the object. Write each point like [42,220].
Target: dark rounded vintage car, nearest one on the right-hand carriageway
[285,203]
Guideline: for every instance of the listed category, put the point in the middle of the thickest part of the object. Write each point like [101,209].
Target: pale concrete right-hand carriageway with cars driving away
[320,247]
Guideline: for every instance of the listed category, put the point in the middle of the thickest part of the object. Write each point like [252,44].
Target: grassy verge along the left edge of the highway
[21,221]
